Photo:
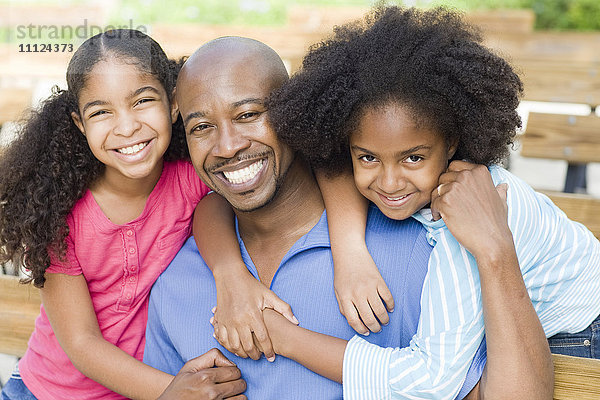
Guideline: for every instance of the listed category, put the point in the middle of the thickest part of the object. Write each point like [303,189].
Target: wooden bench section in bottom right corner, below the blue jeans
[576,378]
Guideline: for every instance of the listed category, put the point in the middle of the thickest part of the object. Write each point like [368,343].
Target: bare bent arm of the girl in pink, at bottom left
[68,304]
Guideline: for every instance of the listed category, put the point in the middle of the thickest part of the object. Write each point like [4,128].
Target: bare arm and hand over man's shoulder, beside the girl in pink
[240,296]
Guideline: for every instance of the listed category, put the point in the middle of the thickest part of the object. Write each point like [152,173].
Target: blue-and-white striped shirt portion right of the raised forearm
[559,258]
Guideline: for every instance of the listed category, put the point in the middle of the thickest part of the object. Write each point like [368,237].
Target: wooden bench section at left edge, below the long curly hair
[19,307]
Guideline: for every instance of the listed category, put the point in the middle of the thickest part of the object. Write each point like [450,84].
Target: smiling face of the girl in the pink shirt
[126,118]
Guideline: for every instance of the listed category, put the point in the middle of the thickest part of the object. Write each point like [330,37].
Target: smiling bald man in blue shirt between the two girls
[281,225]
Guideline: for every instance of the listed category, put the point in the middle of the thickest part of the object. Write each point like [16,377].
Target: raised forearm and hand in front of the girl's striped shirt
[475,212]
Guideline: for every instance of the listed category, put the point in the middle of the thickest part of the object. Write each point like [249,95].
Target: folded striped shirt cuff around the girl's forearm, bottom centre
[365,370]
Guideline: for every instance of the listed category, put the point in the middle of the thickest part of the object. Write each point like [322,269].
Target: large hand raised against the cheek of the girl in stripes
[473,209]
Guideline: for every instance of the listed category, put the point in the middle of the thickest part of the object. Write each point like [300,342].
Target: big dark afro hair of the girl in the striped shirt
[428,60]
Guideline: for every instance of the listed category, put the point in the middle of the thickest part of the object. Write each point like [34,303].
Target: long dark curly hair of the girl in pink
[50,166]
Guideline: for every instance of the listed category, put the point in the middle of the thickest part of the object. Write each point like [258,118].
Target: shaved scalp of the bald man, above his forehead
[230,52]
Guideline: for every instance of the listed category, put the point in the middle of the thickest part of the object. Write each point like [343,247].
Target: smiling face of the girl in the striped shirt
[397,163]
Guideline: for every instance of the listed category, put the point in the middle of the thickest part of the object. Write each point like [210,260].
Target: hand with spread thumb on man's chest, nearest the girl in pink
[238,315]
